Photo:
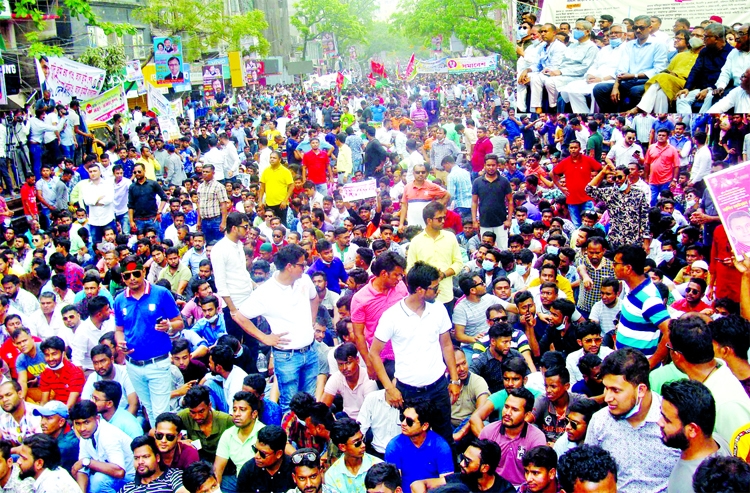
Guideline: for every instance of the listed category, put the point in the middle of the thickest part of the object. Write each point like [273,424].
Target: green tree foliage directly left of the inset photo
[472,21]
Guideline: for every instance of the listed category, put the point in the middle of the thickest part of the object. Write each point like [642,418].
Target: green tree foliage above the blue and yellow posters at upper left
[204,26]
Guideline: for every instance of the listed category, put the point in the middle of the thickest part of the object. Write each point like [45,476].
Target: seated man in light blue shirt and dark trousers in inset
[641,59]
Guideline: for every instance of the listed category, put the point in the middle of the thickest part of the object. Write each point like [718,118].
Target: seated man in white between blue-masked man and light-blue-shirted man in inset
[603,69]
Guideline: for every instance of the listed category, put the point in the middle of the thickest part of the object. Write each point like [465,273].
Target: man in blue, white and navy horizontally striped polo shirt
[644,321]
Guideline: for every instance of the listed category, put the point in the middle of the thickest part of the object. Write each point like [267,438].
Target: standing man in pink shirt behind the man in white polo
[384,290]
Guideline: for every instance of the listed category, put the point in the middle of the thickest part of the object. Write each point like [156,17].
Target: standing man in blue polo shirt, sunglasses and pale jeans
[146,316]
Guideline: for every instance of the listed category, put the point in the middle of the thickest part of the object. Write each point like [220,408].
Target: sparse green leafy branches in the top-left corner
[75,9]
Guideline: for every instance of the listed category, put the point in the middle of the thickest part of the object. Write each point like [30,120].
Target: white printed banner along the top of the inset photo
[731,11]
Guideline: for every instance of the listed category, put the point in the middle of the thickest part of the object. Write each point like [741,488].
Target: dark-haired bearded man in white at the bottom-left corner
[39,458]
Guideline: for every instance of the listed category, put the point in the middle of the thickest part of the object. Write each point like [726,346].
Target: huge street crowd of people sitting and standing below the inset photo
[540,303]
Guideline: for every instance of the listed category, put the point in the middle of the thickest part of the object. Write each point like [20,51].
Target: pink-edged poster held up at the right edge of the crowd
[730,191]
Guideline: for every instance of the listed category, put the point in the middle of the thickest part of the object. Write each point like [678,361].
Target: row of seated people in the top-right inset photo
[635,66]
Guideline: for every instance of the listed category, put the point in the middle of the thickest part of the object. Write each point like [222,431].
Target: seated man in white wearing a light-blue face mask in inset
[576,60]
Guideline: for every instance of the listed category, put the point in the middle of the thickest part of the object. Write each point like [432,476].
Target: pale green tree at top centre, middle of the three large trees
[312,18]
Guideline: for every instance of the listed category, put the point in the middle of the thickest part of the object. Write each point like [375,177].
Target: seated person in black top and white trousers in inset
[708,66]
